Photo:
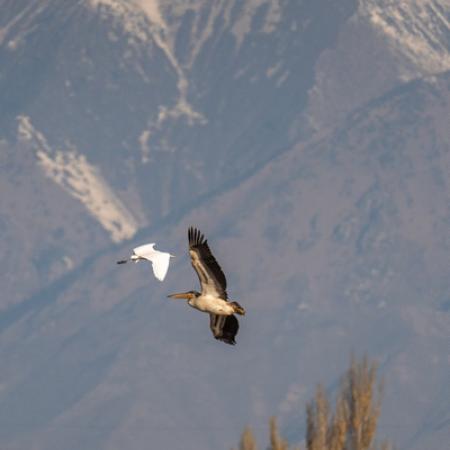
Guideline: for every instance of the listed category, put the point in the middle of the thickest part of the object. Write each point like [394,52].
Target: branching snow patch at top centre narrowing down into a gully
[160,22]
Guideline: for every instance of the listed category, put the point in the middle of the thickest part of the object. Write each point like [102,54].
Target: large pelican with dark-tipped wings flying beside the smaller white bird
[213,298]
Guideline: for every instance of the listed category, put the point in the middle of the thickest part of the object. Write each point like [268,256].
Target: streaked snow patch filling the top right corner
[416,29]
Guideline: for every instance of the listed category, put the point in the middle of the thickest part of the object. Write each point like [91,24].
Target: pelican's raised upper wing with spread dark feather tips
[212,279]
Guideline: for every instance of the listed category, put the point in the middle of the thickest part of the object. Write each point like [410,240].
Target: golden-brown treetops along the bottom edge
[351,426]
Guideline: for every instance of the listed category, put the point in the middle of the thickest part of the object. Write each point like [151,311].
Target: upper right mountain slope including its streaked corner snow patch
[383,44]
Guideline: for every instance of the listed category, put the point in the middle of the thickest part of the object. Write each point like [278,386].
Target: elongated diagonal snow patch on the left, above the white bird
[81,180]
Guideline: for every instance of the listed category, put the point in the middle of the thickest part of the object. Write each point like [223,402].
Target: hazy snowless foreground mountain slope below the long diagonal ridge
[350,233]
